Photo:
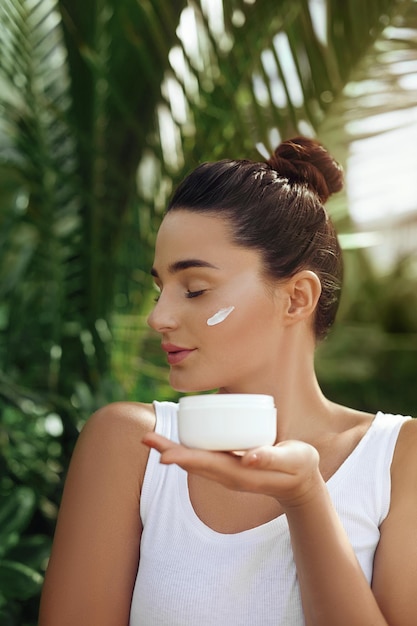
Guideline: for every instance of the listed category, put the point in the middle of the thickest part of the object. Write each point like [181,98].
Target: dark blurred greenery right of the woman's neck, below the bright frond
[369,359]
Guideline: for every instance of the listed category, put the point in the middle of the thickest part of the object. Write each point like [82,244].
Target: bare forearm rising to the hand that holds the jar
[333,587]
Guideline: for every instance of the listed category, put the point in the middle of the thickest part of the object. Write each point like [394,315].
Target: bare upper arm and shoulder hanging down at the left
[95,554]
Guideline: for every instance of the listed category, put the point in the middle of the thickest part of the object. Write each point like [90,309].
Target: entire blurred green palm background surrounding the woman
[104,106]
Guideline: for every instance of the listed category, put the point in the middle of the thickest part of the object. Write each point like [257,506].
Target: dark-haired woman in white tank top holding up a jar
[318,529]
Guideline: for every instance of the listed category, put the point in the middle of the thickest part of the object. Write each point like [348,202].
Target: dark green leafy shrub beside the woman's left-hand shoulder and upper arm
[36,440]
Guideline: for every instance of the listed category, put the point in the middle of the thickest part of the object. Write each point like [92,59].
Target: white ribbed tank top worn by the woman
[191,575]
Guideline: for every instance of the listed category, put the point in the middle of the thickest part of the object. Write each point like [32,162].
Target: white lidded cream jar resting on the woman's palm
[227,421]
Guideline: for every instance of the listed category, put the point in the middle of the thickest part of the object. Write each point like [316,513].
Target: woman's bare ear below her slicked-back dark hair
[303,292]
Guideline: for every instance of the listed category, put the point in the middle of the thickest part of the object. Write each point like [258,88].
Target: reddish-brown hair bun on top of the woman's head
[304,160]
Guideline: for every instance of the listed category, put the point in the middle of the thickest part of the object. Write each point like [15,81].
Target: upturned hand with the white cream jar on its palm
[288,471]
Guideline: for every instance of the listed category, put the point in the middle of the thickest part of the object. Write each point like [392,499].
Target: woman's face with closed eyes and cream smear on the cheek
[201,273]
